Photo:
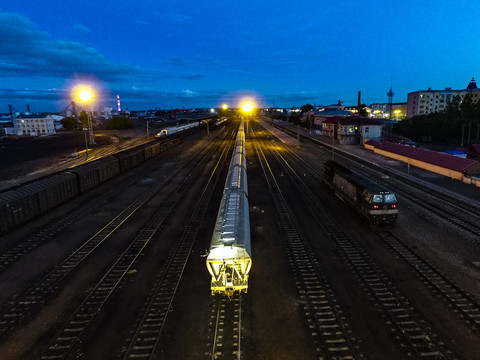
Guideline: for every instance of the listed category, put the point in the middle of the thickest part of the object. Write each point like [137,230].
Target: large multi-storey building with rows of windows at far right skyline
[429,101]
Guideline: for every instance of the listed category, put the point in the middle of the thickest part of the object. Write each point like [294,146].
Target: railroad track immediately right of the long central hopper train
[330,330]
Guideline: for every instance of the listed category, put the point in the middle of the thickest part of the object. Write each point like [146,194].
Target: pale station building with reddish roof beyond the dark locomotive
[352,130]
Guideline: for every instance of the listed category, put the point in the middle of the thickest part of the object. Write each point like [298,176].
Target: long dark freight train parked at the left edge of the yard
[27,201]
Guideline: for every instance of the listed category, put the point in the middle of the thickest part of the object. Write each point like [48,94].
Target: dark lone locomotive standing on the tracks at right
[372,201]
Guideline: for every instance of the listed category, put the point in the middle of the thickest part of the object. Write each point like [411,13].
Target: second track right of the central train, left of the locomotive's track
[411,330]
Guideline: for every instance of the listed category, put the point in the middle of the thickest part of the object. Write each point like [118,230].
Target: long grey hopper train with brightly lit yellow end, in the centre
[229,258]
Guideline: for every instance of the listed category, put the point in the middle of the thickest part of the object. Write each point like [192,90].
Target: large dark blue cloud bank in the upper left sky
[28,52]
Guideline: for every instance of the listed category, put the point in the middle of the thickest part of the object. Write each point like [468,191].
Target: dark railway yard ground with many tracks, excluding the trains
[119,272]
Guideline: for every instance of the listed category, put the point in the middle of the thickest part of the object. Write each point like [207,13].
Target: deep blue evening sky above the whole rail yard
[193,53]
